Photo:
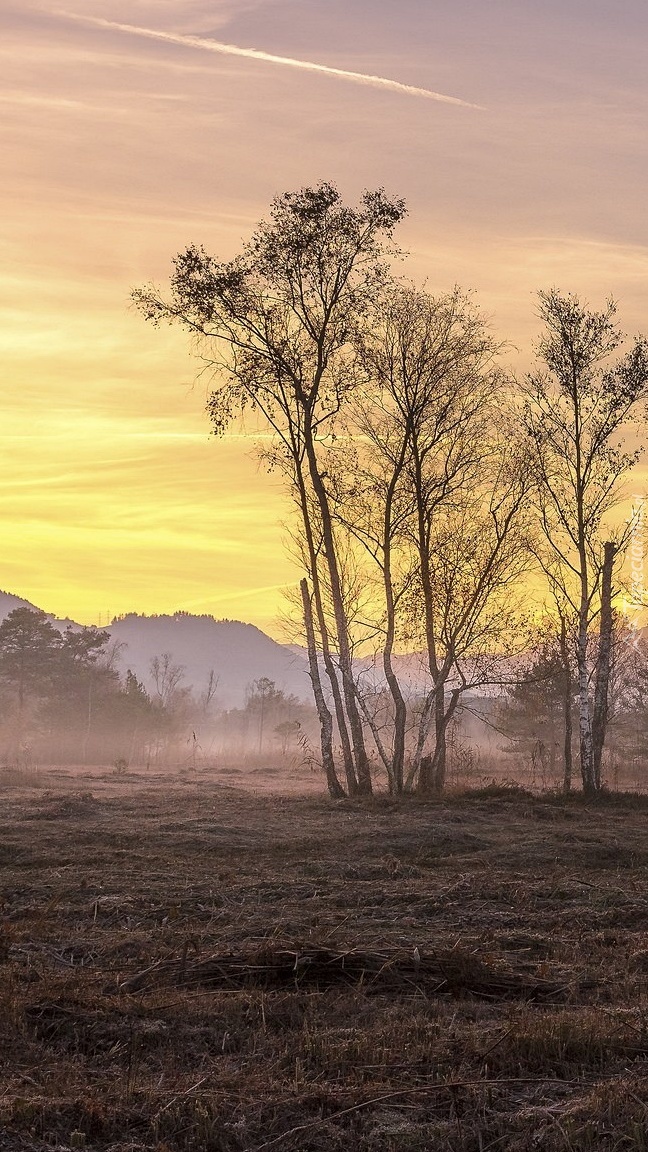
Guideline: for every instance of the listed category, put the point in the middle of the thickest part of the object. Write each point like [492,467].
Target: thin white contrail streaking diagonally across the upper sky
[233,50]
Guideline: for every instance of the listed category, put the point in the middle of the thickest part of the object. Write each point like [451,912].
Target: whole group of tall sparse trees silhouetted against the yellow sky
[426,479]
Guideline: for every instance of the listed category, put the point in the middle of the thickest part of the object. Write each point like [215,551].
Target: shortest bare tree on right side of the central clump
[473,566]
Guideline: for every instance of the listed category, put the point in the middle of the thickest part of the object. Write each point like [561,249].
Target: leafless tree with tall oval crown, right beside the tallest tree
[434,492]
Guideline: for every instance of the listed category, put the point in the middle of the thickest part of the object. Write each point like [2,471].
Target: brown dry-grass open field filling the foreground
[192,966]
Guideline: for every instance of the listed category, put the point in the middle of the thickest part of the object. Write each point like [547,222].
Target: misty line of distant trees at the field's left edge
[63,700]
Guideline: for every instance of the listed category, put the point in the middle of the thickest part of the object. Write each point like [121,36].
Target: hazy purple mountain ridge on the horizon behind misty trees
[238,654]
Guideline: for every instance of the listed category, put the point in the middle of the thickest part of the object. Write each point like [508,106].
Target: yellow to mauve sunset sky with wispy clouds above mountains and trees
[516,131]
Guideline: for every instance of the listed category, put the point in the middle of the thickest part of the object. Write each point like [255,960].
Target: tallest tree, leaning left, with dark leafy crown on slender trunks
[275,324]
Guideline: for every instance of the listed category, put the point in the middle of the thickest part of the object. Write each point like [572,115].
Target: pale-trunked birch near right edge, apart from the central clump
[579,408]
